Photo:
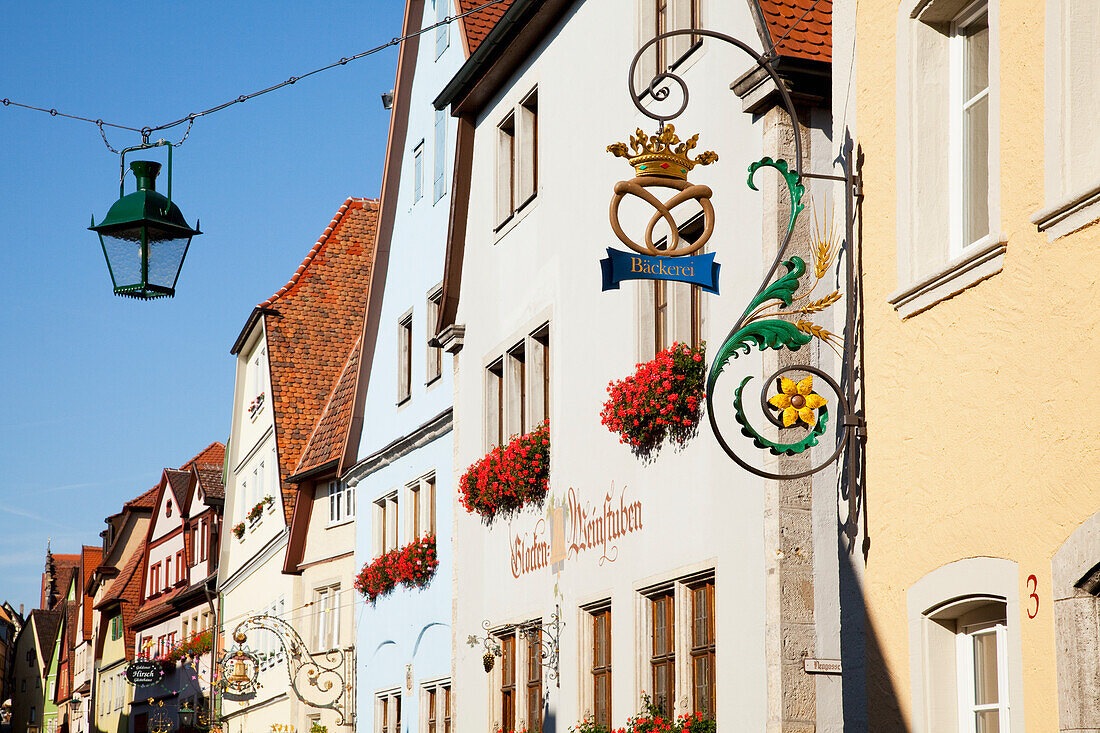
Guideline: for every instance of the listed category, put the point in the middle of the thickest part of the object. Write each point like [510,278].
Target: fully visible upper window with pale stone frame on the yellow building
[931,267]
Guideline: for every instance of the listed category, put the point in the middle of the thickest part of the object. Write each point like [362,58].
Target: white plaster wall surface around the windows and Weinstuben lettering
[699,510]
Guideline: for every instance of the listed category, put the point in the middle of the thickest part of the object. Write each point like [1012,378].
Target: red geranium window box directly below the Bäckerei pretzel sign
[663,399]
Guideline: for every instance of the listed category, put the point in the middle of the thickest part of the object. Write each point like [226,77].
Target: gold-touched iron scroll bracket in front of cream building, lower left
[317,680]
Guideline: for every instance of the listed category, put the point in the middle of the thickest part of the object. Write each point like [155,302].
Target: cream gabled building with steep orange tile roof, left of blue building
[291,356]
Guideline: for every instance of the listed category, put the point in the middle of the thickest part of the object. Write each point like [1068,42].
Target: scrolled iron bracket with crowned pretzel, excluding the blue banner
[779,315]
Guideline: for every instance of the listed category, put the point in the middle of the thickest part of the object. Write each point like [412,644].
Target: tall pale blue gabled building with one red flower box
[403,477]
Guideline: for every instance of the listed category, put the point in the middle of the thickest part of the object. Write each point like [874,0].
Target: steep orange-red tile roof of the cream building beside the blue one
[312,325]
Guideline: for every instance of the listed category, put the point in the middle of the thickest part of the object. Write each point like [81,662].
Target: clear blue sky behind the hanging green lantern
[101,393]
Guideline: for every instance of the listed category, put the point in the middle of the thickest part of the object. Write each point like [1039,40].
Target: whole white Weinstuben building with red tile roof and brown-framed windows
[679,578]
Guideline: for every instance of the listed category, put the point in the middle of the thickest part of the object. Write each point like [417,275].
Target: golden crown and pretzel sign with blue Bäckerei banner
[662,161]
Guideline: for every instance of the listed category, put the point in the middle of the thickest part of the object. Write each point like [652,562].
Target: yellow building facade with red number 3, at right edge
[981,180]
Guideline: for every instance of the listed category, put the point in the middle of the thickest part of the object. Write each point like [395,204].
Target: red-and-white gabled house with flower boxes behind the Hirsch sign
[174,622]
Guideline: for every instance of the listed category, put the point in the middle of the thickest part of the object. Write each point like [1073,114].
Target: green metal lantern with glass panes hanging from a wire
[145,237]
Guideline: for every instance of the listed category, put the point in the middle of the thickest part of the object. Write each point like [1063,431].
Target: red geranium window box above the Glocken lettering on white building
[509,477]
